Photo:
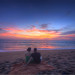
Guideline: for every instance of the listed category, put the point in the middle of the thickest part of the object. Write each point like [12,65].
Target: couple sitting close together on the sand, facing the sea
[34,57]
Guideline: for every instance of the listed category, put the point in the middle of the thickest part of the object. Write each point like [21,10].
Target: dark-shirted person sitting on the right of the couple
[36,56]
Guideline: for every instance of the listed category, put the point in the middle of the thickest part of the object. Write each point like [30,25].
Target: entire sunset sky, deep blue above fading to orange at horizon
[37,19]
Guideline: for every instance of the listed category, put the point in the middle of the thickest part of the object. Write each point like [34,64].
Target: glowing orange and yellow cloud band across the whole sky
[34,33]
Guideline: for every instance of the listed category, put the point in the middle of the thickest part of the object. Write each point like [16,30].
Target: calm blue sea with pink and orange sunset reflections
[13,45]
